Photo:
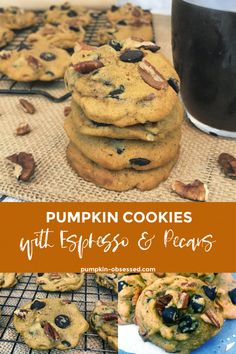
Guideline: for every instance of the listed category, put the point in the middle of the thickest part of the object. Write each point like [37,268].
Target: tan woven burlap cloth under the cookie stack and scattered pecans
[56,181]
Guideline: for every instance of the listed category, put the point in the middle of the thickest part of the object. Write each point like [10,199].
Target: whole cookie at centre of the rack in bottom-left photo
[50,323]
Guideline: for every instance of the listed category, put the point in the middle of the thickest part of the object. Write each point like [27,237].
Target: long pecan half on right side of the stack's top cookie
[151,75]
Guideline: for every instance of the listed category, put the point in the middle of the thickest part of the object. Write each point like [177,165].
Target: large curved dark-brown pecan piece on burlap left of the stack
[24,165]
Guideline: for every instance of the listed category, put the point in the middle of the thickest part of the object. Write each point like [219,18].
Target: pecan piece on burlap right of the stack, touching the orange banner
[197,190]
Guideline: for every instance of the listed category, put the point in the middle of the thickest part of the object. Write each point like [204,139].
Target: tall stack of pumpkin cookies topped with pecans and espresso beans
[125,121]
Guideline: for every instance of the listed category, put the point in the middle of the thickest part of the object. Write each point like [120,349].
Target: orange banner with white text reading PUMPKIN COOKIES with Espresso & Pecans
[171,237]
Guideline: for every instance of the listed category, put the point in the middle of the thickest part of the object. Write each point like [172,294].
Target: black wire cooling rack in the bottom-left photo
[27,290]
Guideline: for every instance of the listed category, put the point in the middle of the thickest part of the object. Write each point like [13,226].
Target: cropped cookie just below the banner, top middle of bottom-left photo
[60,281]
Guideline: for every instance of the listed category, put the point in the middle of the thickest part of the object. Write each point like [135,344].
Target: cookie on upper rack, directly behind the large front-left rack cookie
[61,36]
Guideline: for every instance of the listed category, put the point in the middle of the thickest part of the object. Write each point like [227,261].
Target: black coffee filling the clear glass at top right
[204,53]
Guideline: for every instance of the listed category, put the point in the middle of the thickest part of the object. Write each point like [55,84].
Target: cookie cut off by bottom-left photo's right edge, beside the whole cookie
[104,320]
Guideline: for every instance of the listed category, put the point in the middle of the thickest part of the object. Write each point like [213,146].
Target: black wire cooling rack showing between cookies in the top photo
[55,90]
